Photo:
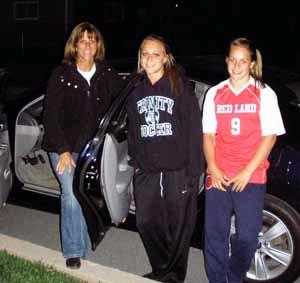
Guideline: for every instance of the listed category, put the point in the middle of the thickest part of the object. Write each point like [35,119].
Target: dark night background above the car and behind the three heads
[33,33]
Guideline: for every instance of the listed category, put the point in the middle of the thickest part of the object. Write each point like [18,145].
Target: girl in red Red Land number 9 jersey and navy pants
[241,120]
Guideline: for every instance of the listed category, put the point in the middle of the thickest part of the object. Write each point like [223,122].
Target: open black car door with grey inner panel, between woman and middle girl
[102,180]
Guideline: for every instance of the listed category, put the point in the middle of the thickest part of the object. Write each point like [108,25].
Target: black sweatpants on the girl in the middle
[166,210]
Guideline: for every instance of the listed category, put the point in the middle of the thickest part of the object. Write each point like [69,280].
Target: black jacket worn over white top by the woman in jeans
[73,108]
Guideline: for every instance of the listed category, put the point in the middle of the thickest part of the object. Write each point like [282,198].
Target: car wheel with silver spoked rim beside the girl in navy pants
[277,258]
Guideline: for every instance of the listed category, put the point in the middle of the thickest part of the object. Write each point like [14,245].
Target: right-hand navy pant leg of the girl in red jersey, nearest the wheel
[248,206]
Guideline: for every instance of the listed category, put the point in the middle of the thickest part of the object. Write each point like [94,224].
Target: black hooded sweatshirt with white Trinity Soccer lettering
[165,130]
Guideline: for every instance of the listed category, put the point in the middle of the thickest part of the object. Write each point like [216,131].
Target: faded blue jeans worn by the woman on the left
[74,238]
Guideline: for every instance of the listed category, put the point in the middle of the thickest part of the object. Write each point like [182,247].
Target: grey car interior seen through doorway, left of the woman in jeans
[32,164]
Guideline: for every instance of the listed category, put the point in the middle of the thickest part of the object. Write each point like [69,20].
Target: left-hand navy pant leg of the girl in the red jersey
[218,210]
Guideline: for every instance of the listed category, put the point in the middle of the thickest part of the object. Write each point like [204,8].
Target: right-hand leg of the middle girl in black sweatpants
[181,203]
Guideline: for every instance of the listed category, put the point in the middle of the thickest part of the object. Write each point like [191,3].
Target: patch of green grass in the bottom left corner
[17,270]
